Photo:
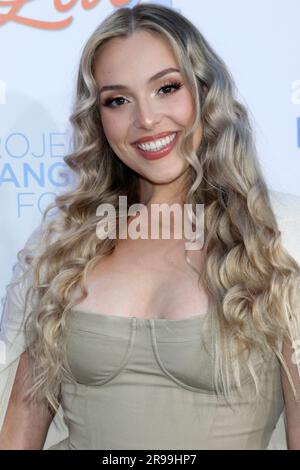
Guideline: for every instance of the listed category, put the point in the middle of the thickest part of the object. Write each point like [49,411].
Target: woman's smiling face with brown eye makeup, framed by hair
[144,108]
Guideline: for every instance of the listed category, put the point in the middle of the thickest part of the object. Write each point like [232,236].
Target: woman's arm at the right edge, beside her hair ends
[292,408]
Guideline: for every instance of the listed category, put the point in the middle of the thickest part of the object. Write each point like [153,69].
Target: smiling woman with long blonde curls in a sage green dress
[143,343]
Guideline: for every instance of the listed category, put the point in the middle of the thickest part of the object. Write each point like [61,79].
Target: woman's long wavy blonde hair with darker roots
[251,281]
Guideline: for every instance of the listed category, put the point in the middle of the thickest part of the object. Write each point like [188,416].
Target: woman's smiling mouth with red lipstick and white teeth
[152,148]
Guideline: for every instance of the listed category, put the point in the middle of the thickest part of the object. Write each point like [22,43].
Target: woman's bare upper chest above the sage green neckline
[150,280]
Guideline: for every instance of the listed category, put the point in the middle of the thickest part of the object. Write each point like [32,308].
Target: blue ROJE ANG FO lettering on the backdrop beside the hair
[25,164]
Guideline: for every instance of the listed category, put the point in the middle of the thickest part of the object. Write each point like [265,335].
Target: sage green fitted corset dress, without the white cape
[134,383]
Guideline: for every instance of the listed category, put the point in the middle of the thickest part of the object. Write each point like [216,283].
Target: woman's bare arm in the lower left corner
[25,425]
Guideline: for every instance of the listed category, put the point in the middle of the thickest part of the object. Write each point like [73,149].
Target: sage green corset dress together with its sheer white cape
[147,384]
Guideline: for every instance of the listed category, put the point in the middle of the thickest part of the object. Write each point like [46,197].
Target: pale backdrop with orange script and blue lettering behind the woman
[40,45]
